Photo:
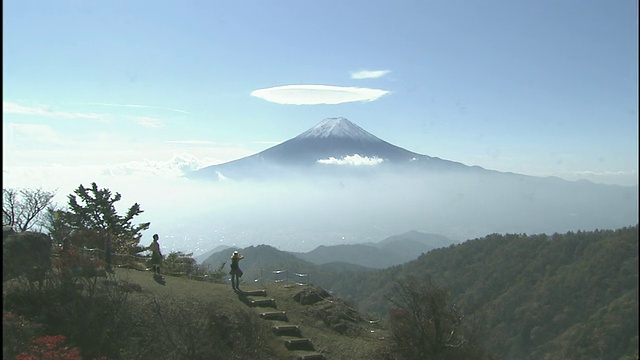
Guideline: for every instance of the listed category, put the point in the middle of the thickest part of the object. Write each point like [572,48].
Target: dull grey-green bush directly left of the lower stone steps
[198,330]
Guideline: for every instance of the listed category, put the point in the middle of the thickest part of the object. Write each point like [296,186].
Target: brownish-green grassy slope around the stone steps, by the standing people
[363,341]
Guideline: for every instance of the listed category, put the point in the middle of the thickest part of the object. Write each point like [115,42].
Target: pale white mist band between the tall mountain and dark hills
[299,215]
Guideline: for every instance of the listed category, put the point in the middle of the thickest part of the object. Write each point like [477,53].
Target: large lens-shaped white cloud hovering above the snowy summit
[317,94]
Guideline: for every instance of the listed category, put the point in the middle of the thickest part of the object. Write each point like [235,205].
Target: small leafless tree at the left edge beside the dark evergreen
[23,209]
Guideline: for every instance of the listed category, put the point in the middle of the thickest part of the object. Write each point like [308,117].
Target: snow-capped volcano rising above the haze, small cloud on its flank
[335,146]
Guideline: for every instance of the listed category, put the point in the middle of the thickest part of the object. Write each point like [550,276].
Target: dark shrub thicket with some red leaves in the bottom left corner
[102,319]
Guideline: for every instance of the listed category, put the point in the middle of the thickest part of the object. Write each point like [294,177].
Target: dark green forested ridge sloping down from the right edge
[570,296]
